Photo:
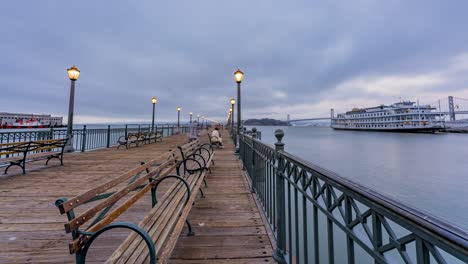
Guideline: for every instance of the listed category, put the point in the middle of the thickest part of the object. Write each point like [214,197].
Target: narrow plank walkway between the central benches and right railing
[227,223]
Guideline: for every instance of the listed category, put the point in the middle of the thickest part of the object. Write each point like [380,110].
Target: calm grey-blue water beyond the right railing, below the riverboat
[426,171]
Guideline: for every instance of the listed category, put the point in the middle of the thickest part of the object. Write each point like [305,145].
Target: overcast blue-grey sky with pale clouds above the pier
[301,58]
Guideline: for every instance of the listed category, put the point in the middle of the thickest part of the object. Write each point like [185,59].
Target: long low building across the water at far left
[29,120]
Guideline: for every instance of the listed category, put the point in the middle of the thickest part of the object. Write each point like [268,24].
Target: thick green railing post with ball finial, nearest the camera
[280,251]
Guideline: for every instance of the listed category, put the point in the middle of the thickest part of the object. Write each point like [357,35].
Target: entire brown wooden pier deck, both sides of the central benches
[228,223]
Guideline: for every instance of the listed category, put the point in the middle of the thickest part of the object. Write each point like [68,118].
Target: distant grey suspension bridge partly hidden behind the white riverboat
[450,106]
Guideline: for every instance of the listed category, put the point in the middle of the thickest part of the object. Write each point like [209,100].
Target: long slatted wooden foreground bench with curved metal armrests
[156,234]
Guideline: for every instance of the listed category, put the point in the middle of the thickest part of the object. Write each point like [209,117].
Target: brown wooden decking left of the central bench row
[31,227]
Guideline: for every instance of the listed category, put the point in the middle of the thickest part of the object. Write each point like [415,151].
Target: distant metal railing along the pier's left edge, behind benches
[88,139]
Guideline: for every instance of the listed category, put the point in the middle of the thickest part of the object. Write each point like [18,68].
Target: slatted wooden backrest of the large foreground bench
[140,179]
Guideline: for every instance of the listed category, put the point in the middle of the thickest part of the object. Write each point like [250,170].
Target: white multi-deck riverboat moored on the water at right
[405,116]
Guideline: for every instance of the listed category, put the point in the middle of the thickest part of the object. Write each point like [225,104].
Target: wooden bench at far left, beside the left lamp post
[18,154]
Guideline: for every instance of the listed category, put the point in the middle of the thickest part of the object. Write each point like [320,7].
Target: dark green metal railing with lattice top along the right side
[318,216]
